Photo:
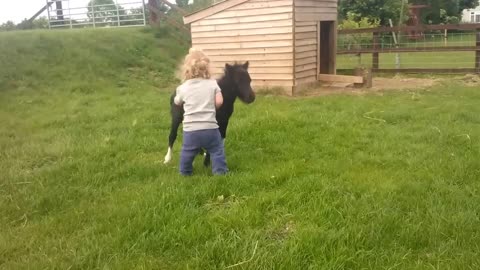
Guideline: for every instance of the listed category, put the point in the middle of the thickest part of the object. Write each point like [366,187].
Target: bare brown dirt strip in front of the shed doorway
[379,84]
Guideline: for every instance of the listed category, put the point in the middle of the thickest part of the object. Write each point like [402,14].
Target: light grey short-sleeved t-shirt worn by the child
[198,98]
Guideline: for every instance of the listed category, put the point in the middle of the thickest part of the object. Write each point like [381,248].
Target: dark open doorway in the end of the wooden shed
[326,47]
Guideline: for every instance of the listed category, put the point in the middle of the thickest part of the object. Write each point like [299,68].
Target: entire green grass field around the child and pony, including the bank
[379,181]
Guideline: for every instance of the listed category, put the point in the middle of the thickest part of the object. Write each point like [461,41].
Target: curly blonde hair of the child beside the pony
[196,65]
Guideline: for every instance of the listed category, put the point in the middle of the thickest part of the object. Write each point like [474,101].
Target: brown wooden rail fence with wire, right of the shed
[429,50]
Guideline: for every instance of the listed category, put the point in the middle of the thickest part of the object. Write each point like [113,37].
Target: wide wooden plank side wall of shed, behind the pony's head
[260,31]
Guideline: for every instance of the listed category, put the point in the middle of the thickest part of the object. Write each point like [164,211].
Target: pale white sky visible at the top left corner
[17,10]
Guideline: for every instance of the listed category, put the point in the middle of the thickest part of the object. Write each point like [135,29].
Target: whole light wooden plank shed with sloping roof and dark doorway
[288,42]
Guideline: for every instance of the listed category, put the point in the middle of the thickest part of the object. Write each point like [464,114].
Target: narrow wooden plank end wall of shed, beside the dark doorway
[307,15]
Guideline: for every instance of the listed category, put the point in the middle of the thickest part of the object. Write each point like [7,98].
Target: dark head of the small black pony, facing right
[237,76]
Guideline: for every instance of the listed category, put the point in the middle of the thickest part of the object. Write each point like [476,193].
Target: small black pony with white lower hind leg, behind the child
[234,83]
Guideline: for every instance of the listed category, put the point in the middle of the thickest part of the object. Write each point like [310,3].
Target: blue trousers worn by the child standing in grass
[210,140]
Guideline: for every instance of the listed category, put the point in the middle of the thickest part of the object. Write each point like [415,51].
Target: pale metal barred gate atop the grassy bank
[95,13]
